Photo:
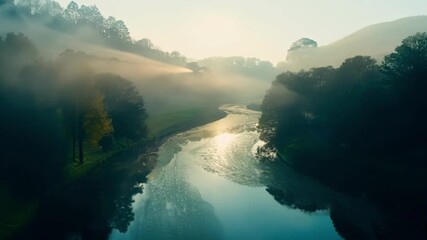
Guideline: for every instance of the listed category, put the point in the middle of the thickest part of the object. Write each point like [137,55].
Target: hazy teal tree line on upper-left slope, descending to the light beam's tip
[88,23]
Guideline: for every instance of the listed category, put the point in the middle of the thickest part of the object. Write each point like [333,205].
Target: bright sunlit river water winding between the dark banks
[209,185]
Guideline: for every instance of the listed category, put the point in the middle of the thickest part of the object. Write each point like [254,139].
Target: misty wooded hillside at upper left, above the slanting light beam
[85,23]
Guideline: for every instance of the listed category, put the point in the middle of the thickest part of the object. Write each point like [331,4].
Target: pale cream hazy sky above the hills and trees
[251,28]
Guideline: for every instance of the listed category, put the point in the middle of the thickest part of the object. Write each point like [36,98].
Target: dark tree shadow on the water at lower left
[93,206]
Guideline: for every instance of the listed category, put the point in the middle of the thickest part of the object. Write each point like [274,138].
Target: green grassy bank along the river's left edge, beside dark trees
[160,127]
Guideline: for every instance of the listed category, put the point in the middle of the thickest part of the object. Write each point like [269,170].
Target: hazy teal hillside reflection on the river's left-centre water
[170,207]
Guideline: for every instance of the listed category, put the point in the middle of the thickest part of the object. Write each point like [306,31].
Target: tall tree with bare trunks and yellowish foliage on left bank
[84,108]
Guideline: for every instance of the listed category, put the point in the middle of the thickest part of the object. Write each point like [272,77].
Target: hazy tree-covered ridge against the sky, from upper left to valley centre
[88,22]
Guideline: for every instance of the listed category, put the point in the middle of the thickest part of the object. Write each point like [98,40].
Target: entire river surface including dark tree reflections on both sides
[183,198]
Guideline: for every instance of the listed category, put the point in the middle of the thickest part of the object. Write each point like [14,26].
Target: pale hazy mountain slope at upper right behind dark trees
[375,40]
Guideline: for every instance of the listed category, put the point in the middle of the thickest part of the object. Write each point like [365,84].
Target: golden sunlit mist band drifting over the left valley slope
[164,86]
